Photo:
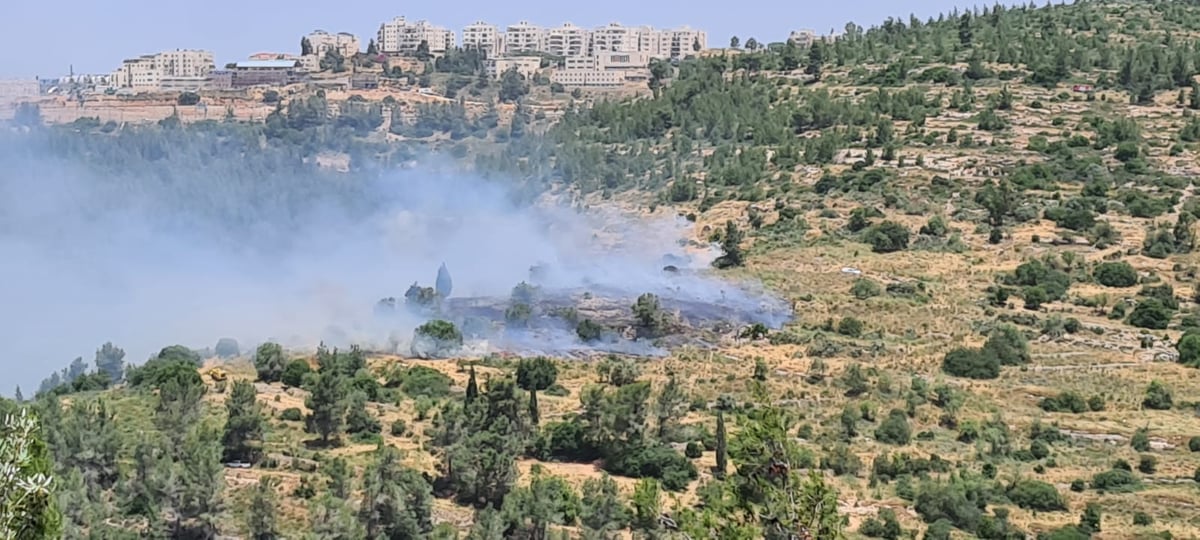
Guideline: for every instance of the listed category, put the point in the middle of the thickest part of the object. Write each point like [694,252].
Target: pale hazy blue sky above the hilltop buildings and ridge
[43,39]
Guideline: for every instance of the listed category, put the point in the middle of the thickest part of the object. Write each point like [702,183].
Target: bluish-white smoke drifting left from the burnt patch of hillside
[188,253]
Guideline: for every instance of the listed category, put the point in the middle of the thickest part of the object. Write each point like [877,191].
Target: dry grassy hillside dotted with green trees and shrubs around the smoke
[987,227]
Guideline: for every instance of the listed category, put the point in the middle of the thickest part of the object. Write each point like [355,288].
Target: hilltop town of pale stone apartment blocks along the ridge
[405,57]
